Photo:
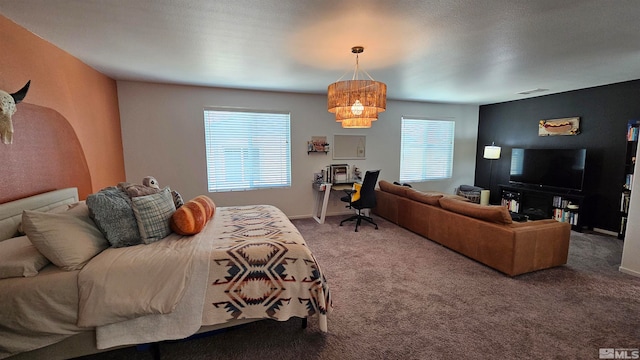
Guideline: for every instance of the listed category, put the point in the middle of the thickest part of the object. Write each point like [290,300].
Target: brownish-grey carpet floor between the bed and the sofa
[397,295]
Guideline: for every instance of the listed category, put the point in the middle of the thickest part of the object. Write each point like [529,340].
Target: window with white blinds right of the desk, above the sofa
[426,150]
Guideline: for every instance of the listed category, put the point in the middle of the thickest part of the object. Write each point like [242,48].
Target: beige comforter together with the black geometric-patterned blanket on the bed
[249,262]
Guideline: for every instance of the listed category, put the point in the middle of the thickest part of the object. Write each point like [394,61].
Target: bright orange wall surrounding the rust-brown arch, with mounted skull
[85,97]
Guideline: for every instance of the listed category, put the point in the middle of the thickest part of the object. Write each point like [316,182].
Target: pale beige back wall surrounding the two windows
[163,136]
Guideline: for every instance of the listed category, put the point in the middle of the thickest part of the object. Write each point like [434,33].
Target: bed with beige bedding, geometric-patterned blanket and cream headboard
[248,263]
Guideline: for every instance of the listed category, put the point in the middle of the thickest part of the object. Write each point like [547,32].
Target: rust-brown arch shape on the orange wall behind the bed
[45,155]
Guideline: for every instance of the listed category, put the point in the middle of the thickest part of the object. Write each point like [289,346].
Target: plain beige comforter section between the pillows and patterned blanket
[146,293]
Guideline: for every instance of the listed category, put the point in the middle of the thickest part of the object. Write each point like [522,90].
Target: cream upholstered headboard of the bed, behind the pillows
[11,212]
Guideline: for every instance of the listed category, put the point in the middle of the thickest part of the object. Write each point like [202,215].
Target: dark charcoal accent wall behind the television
[604,112]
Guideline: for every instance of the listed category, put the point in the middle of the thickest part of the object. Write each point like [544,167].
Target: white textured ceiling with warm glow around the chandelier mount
[475,52]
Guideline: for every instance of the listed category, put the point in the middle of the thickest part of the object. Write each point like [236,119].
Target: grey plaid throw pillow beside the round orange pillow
[153,213]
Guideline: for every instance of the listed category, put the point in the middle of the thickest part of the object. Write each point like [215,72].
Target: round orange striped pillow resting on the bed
[192,217]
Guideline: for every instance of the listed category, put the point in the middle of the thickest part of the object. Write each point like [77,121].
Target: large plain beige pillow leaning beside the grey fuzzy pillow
[69,240]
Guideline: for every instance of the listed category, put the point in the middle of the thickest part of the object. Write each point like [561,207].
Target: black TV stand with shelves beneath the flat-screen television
[539,203]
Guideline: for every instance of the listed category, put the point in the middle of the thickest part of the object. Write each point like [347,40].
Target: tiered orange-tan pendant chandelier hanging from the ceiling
[356,102]
